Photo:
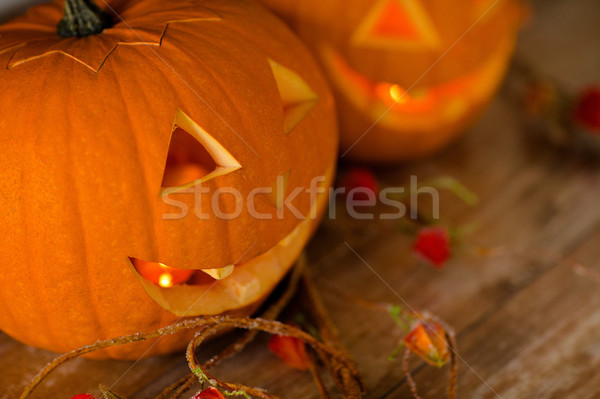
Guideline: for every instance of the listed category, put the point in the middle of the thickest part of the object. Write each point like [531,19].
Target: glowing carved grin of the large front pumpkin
[213,291]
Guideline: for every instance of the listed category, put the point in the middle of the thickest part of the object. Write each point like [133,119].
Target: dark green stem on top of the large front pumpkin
[83,18]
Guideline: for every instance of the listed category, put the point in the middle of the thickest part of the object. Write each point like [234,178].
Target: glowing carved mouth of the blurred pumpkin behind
[392,106]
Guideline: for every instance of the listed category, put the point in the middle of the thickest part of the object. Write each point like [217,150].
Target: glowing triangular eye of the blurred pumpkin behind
[396,24]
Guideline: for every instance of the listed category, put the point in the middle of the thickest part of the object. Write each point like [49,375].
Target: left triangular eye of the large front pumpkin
[194,156]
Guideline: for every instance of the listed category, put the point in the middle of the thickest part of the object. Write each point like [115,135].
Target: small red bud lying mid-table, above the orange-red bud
[433,245]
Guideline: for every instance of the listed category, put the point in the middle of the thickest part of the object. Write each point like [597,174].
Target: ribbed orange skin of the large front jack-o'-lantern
[85,158]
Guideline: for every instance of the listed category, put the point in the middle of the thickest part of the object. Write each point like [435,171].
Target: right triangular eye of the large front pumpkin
[297,97]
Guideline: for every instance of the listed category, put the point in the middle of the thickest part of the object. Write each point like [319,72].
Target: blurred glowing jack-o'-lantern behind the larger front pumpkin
[409,76]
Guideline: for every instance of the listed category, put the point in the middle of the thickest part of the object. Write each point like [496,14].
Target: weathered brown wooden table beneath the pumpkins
[527,325]
